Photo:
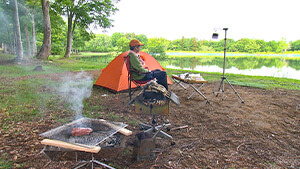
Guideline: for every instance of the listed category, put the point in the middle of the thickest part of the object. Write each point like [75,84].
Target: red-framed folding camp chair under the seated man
[130,78]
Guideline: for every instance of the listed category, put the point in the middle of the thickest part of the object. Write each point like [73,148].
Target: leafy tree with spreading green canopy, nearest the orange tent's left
[83,13]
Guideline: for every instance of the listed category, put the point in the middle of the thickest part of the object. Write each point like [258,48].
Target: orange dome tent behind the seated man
[115,75]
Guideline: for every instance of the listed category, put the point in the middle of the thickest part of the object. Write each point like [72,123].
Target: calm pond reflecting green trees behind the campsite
[274,66]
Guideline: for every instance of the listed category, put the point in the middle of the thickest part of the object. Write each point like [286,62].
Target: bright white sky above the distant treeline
[171,19]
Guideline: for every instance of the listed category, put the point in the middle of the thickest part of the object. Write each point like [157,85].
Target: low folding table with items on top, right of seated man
[179,79]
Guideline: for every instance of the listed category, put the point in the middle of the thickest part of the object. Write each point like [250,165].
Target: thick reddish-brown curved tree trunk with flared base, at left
[45,51]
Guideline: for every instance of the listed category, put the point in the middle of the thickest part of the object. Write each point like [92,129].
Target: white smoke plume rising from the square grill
[75,89]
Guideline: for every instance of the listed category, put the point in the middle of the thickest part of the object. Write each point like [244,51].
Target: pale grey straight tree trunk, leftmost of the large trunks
[19,47]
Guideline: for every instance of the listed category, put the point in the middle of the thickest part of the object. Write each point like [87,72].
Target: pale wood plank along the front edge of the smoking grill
[58,143]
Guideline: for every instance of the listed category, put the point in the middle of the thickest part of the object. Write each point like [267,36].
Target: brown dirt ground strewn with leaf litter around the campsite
[262,133]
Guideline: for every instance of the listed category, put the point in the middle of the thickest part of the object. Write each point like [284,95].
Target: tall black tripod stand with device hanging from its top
[220,86]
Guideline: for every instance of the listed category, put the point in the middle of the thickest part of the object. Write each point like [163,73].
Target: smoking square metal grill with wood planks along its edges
[103,135]
